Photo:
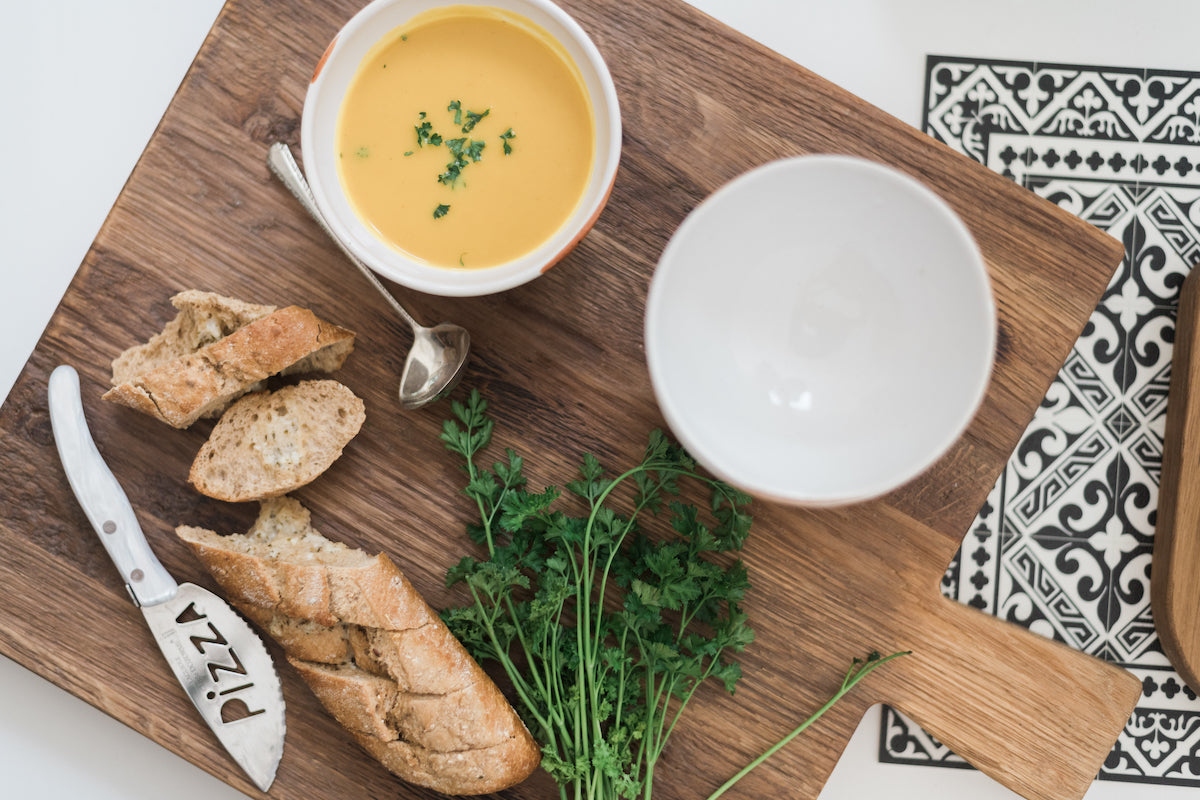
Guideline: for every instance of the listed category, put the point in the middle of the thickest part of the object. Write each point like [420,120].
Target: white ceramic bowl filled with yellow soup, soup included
[461,149]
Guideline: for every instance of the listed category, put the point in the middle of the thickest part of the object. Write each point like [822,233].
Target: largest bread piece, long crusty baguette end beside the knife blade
[374,653]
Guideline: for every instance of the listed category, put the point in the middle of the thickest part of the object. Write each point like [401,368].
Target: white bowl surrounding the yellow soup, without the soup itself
[319,135]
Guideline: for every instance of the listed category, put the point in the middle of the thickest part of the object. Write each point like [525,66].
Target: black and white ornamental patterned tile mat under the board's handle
[1064,544]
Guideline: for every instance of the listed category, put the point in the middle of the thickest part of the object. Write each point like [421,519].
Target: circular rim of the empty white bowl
[710,456]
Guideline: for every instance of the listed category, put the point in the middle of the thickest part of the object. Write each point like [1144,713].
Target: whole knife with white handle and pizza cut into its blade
[217,657]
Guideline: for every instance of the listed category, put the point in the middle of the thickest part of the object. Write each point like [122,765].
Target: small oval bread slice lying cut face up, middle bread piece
[272,443]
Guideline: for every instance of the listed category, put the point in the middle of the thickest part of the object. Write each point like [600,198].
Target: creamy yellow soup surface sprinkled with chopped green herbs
[466,139]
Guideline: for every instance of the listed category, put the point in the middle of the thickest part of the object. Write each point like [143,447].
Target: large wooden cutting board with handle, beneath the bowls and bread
[561,362]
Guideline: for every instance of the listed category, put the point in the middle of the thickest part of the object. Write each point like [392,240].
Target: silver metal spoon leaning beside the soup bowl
[439,356]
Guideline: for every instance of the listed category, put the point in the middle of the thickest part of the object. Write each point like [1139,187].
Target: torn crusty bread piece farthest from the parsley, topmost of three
[218,350]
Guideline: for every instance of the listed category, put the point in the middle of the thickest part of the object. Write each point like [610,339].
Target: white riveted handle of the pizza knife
[101,496]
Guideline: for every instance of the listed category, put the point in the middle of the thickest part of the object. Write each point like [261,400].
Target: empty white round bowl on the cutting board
[820,330]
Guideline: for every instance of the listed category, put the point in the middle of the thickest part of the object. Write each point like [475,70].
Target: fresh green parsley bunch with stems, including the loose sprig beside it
[605,633]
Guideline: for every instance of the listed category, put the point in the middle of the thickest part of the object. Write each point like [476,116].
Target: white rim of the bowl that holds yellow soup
[445,281]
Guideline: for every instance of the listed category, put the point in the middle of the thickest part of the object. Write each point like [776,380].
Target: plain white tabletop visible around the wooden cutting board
[83,86]
